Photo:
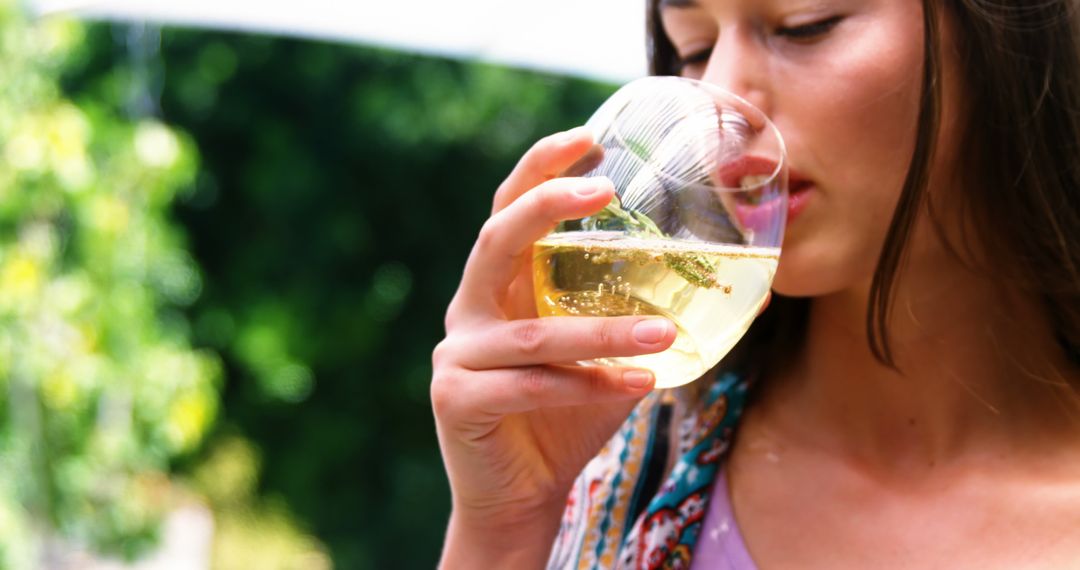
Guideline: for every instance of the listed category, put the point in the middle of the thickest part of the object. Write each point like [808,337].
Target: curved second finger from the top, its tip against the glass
[507,238]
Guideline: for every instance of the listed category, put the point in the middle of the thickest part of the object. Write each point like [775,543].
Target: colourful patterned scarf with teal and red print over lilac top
[620,514]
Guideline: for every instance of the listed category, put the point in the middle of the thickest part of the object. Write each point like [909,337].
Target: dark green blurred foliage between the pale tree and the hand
[339,193]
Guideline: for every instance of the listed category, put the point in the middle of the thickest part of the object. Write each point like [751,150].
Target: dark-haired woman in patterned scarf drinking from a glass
[909,399]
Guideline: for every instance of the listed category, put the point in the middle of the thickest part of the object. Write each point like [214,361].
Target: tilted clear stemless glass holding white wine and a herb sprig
[694,233]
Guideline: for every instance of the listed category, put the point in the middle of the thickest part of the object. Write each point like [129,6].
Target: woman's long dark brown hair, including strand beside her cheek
[1021,152]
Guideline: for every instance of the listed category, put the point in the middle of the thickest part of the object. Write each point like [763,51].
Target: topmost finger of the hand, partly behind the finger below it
[548,159]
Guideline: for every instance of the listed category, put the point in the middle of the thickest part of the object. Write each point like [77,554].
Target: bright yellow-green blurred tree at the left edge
[100,387]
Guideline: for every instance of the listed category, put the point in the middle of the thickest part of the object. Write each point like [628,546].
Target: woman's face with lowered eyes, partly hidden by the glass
[842,80]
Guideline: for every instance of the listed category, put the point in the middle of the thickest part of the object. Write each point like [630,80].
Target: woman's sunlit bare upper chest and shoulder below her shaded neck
[804,507]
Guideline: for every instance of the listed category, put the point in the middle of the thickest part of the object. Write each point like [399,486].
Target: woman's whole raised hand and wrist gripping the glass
[516,423]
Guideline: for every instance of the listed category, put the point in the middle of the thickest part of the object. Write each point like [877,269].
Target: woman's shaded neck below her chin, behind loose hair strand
[977,372]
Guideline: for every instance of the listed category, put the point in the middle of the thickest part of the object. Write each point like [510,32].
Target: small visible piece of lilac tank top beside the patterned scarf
[721,546]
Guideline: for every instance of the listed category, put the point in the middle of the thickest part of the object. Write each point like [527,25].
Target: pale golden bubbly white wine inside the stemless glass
[711,292]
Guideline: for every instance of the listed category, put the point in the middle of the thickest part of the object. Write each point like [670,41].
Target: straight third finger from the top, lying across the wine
[568,340]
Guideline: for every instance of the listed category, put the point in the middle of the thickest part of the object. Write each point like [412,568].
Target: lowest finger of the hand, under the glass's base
[501,392]
